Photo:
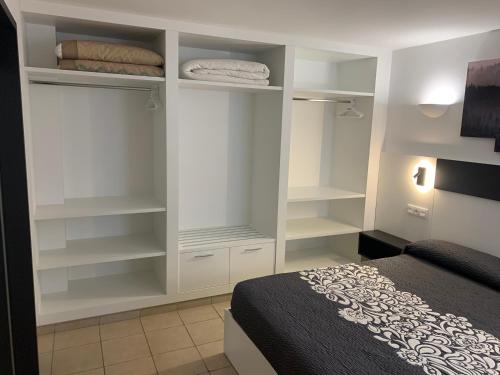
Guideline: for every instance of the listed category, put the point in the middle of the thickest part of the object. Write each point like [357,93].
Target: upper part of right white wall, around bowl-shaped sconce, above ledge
[437,72]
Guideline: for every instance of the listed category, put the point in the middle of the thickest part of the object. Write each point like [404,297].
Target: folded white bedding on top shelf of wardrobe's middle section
[226,70]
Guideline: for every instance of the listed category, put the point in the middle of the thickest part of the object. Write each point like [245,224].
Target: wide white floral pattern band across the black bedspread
[440,343]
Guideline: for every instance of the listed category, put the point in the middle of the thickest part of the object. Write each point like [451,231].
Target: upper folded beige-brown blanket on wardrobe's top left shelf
[110,52]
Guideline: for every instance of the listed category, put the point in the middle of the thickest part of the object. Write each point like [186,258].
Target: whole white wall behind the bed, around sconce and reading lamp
[435,73]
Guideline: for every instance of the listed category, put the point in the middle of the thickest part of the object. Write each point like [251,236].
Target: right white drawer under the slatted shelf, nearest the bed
[248,262]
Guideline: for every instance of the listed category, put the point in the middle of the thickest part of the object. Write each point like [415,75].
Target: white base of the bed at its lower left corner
[241,351]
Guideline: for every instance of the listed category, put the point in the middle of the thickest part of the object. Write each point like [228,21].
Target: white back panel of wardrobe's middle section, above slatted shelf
[202,159]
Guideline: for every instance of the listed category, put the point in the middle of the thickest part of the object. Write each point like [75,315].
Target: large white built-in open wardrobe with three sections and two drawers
[146,191]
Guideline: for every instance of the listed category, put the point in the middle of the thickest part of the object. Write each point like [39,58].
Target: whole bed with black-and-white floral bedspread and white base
[433,310]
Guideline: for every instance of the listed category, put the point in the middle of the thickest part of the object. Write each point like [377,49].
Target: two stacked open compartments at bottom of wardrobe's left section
[76,255]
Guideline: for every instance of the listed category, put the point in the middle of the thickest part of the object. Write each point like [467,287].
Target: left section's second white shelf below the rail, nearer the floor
[101,250]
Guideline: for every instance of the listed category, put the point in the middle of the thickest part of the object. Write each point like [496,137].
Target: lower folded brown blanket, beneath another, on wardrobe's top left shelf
[111,67]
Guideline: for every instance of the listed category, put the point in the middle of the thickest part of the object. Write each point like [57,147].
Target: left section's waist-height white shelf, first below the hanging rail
[102,206]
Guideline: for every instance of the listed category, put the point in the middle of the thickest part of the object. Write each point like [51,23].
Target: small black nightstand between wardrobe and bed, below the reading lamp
[375,244]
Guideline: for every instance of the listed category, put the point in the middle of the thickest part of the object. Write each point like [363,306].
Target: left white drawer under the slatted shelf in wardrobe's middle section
[203,269]
